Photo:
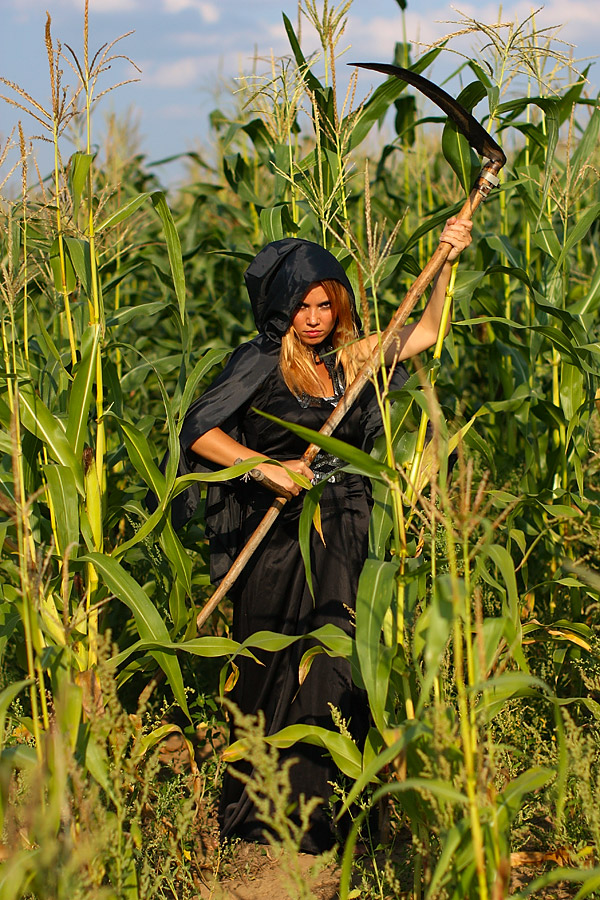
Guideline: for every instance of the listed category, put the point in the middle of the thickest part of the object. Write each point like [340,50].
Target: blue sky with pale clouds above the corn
[189,52]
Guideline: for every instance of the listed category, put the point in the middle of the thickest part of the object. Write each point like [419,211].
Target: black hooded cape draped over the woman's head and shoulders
[276,280]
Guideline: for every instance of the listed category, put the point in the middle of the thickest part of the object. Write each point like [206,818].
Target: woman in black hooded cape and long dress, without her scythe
[307,350]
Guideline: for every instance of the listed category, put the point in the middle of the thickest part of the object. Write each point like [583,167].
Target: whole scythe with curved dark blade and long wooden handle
[483,143]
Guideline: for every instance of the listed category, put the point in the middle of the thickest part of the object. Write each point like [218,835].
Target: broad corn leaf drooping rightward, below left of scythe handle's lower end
[149,624]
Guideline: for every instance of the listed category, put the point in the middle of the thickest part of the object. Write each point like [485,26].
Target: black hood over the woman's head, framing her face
[279,276]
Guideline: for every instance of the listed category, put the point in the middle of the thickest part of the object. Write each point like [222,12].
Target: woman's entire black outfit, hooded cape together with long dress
[272,592]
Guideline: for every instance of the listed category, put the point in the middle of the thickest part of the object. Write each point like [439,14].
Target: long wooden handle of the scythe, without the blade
[486,180]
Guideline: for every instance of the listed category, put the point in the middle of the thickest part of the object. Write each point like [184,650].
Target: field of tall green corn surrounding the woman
[478,610]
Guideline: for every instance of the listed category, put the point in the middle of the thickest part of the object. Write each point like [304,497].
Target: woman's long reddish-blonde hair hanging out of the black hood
[296,361]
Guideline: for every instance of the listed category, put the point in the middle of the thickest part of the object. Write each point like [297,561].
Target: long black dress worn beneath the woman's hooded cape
[273,595]
